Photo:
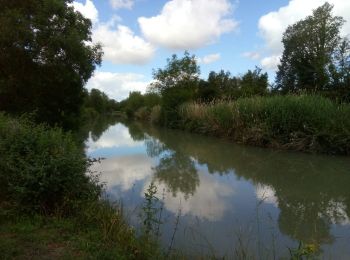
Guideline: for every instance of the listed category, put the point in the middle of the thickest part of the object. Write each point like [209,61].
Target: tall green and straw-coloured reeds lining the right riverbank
[304,123]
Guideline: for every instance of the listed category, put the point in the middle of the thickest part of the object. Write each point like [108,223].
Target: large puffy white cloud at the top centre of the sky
[188,24]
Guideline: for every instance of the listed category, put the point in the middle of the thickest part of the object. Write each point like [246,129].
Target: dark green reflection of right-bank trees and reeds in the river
[312,191]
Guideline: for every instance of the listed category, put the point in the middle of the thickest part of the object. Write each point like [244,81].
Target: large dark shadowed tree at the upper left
[46,57]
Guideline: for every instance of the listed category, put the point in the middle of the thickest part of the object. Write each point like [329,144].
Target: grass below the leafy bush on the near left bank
[98,232]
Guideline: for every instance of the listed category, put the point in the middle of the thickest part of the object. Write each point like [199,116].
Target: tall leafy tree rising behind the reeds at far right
[309,56]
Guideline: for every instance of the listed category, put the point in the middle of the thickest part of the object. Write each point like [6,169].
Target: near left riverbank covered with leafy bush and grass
[49,207]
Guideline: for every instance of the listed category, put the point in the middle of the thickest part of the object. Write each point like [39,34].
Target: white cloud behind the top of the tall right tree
[273,24]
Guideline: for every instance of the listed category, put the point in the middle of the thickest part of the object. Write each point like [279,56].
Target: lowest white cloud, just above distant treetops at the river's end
[118,85]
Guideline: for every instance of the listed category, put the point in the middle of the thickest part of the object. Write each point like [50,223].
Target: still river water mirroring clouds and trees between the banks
[228,199]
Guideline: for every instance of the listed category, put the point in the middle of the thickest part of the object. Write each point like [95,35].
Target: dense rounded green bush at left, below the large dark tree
[42,170]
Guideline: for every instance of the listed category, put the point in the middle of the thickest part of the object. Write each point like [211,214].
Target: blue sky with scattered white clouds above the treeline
[232,35]
